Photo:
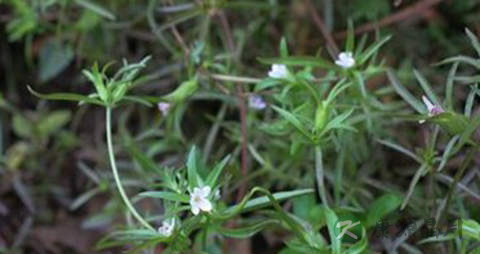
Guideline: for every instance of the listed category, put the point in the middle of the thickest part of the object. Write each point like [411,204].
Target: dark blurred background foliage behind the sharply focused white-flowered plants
[53,155]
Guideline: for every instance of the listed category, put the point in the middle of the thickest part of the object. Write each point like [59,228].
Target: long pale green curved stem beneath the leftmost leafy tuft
[118,182]
